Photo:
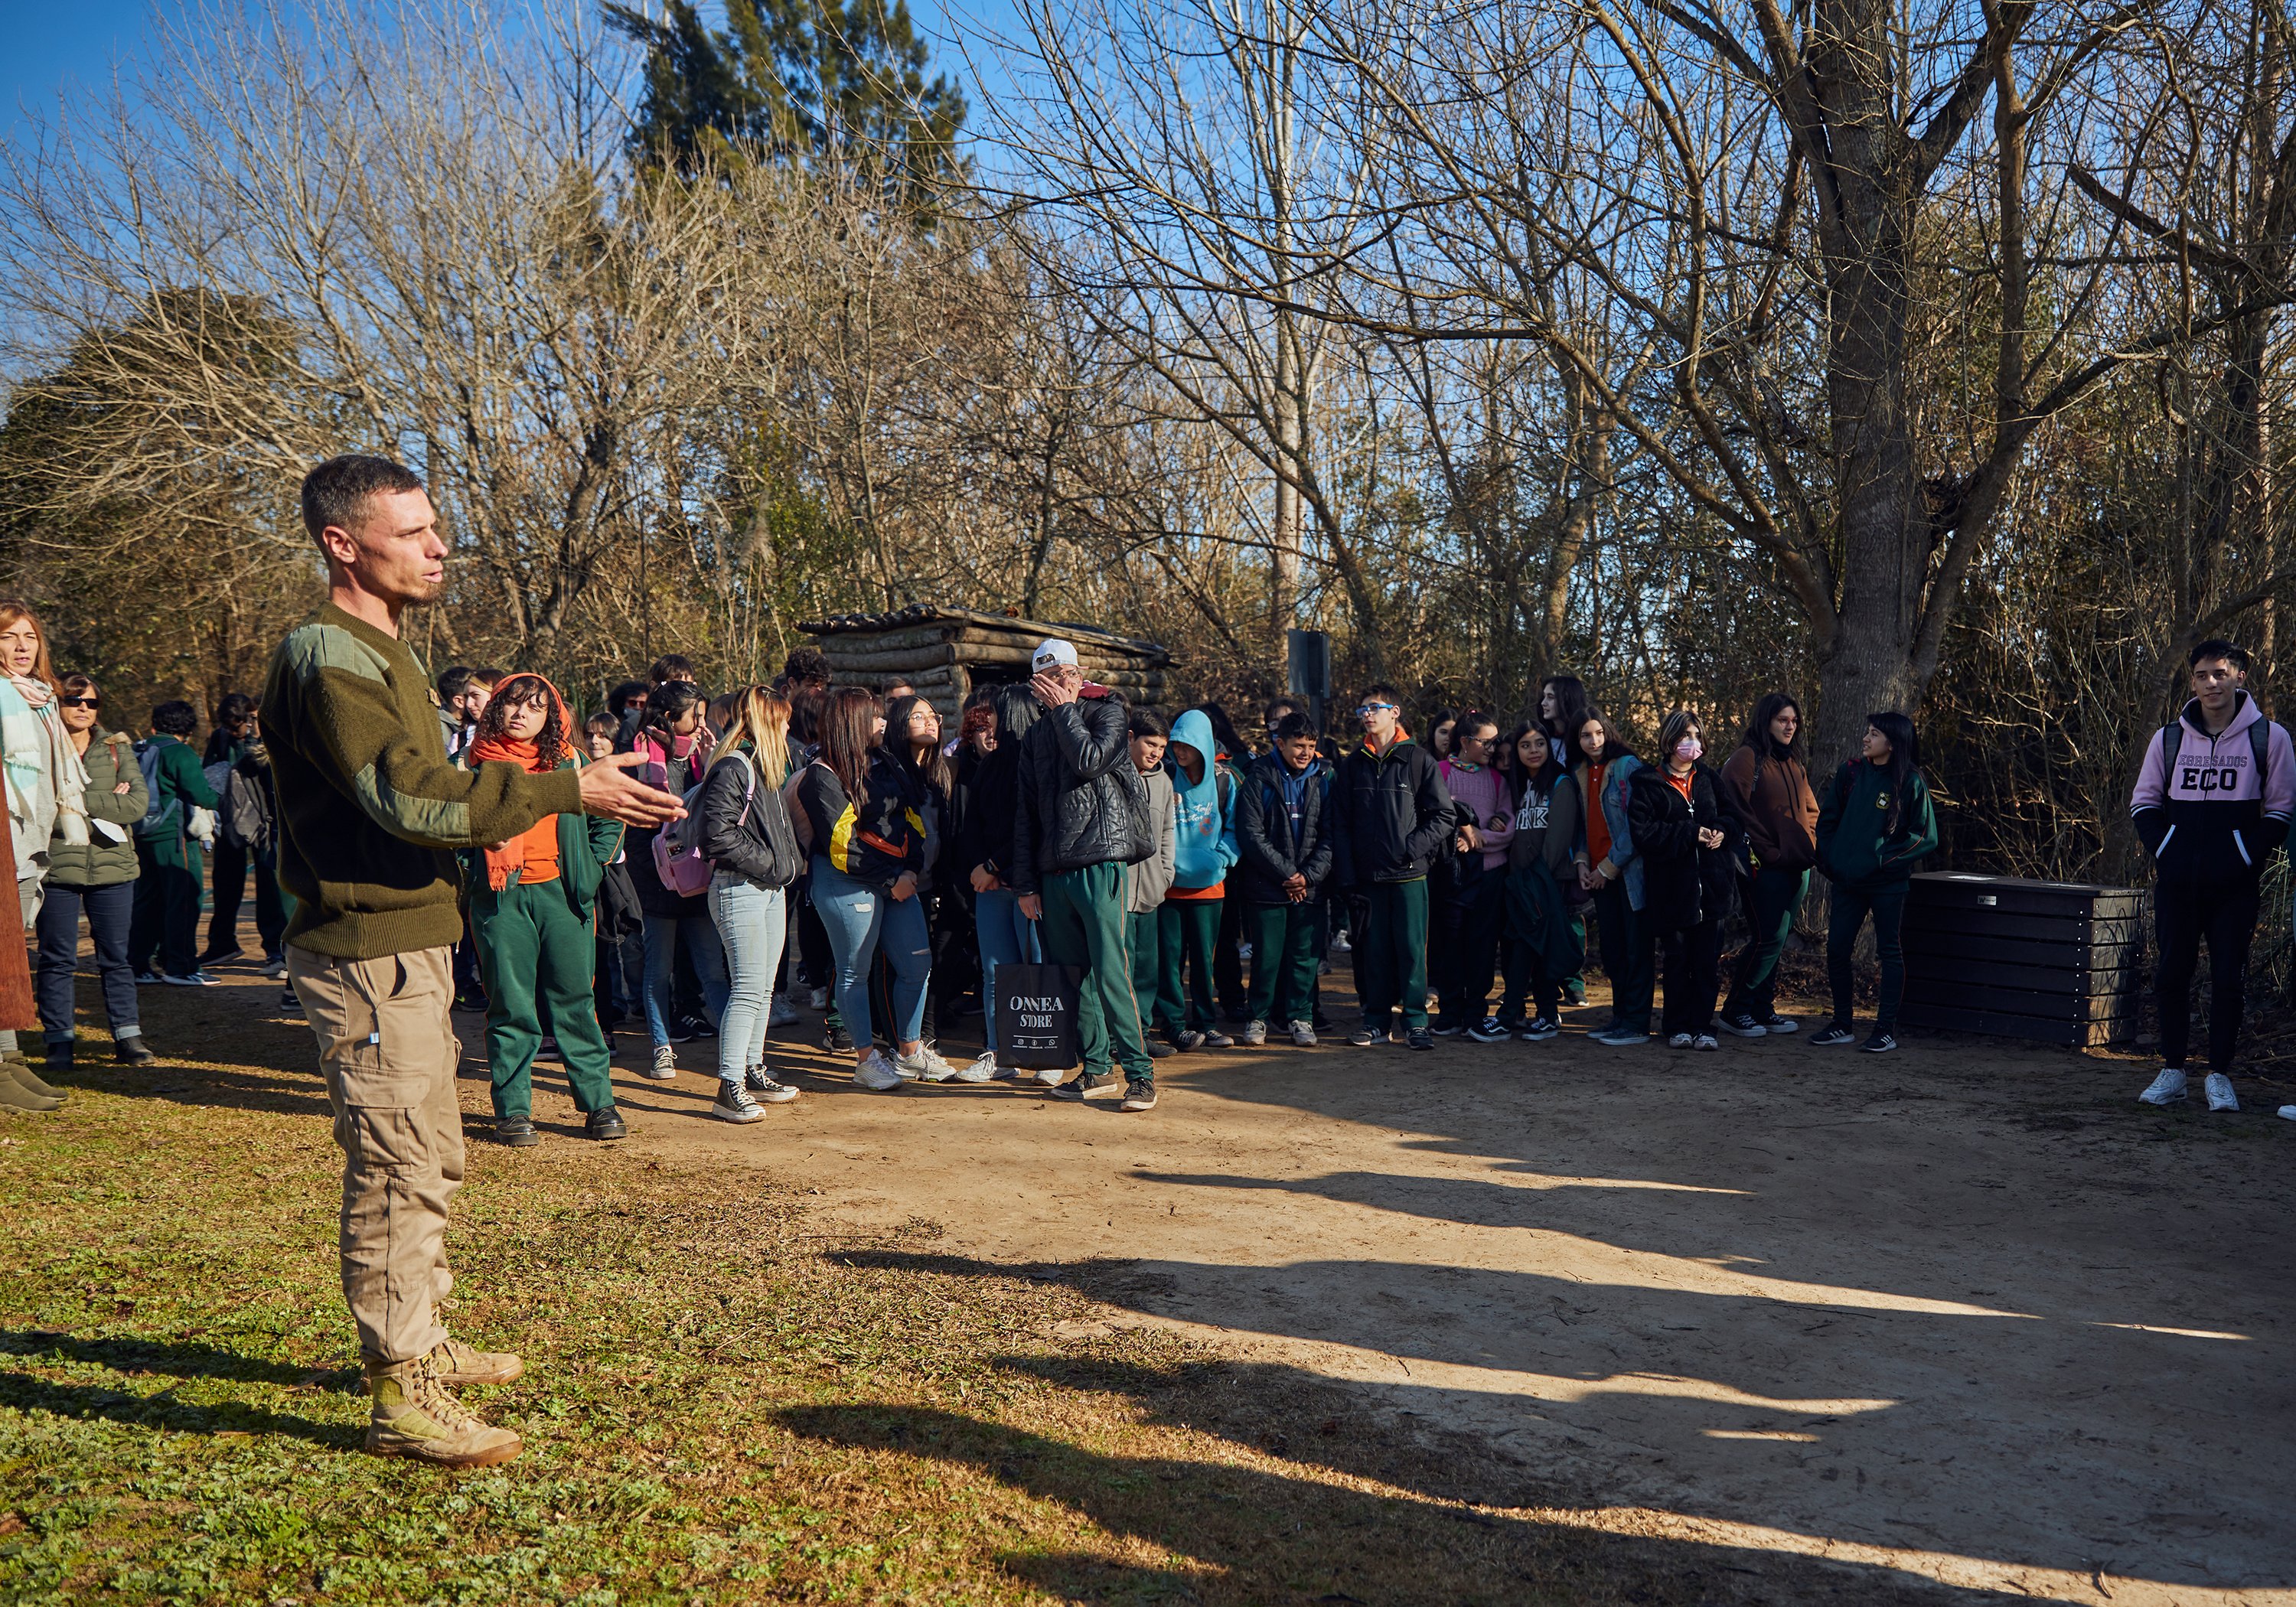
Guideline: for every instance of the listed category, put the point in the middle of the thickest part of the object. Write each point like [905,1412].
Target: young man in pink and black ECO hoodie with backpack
[2212,805]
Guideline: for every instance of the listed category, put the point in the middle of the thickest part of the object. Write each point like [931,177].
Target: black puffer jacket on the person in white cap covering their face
[1083,802]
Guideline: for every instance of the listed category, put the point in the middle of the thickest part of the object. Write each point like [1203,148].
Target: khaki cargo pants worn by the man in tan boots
[389,1055]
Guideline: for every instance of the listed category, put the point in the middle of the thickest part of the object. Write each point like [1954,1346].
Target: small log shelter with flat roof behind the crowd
[945,653]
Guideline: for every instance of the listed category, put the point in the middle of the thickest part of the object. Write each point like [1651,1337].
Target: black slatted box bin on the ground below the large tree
[2019,958]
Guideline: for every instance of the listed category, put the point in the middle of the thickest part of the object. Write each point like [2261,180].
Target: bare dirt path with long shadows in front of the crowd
[1962,1312]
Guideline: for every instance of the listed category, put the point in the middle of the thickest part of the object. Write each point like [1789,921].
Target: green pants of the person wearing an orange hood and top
[536,958]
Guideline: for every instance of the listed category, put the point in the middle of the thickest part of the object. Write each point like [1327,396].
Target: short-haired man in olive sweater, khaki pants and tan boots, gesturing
[371,812]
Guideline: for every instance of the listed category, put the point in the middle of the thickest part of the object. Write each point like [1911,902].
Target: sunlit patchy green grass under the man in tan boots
[720,1404]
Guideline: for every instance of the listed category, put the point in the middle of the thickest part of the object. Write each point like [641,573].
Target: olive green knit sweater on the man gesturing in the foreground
[371,807]
